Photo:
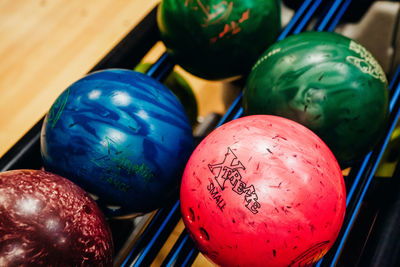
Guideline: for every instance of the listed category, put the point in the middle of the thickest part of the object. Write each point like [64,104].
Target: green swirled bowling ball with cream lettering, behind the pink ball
[327,82]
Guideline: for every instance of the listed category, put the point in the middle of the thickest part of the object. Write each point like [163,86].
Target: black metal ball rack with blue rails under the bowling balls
[368,235]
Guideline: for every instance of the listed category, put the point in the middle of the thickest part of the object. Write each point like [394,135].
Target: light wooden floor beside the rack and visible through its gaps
[45,45]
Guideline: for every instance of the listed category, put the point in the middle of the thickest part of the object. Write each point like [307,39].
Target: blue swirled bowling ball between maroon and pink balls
[120,135]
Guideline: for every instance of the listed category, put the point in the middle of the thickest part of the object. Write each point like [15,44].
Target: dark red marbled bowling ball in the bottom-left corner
[46,220]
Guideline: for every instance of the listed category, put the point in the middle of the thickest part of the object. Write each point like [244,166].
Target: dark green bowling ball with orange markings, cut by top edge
[218,39]
